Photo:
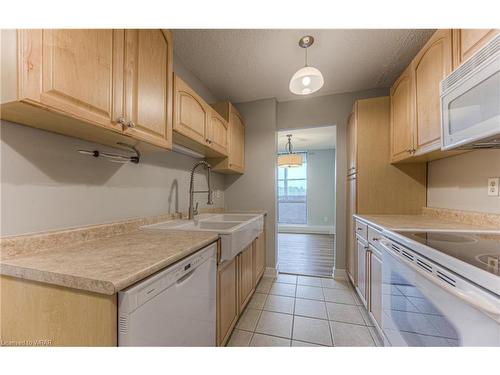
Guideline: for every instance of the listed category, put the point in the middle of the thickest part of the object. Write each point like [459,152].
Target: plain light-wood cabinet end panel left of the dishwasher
[38,314]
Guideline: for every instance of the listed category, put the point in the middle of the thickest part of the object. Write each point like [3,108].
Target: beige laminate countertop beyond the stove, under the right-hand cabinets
[424,222]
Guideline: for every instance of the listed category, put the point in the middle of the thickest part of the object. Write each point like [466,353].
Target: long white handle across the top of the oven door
[471,298]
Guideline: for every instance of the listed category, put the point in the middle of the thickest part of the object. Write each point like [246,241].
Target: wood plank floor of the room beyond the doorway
[305,254]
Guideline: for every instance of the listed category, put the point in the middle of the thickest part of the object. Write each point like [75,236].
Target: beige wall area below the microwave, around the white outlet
[460,182]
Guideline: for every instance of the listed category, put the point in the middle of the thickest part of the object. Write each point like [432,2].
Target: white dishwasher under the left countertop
[175,307]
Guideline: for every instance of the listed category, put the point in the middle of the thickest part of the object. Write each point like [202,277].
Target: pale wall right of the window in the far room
[321,188]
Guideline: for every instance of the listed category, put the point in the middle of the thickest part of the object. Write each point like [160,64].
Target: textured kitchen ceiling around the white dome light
[245,65]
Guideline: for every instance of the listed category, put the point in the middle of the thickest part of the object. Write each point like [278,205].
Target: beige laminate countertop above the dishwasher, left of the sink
[106,265]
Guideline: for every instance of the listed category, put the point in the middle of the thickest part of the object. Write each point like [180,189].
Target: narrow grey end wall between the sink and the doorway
[256,188]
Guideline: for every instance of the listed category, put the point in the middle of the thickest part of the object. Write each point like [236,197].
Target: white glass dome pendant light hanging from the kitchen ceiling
[306,80]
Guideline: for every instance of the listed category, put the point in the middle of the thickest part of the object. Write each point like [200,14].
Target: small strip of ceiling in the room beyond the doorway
[321,138]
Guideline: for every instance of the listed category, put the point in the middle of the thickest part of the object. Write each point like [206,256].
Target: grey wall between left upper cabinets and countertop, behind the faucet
[46,185]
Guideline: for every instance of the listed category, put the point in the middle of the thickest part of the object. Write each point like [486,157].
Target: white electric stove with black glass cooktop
[441,288]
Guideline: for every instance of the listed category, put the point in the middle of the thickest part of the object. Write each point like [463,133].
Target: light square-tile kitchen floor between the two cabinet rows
[296,310]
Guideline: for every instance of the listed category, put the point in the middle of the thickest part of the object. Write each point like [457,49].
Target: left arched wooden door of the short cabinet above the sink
[191,114]
